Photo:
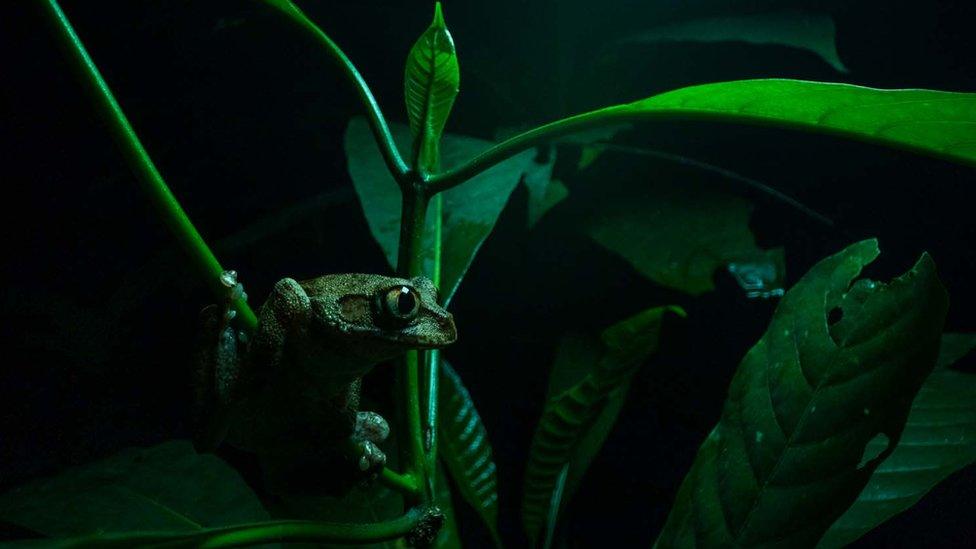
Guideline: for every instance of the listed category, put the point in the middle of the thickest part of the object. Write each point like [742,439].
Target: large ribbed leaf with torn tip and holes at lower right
[793,448]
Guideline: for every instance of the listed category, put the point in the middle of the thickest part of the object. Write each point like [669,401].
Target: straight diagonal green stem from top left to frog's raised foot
[151,181]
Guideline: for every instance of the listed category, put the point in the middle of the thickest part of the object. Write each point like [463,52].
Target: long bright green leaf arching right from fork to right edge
[929,122]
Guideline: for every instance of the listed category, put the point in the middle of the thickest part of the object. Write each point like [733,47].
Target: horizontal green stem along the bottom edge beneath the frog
[264,532]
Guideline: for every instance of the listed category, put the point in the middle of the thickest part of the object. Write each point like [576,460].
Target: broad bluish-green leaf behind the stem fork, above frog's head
[470,209]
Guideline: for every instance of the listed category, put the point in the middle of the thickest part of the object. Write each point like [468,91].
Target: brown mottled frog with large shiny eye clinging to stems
[289,392]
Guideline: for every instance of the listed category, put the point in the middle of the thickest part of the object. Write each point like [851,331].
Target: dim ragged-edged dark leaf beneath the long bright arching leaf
[677,235]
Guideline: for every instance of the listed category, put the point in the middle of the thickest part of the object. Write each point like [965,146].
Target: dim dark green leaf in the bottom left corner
[168,488]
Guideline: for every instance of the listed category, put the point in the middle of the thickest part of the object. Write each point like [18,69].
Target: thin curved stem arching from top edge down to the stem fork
[377,122]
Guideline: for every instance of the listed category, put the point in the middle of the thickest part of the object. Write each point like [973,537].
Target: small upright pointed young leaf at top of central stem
[430,84]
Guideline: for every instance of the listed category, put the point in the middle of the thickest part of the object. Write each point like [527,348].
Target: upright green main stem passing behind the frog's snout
[410,263]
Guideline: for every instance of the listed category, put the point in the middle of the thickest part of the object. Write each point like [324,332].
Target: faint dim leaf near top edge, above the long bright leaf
[814,32]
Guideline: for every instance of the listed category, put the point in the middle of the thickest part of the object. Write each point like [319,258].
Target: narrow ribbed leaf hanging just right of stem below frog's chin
[466,450]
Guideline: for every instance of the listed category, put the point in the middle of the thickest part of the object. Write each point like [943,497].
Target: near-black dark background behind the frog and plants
[244,117]
